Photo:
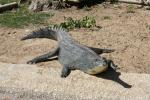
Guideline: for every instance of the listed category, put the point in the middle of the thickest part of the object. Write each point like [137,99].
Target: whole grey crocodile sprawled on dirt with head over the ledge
[72,55]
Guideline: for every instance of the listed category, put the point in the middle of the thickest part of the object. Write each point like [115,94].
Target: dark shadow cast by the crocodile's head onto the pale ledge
[113,75]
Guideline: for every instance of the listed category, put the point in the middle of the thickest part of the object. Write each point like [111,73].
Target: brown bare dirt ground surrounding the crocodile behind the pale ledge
[127,33]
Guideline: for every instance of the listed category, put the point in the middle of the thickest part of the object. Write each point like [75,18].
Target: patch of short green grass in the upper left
[22,17]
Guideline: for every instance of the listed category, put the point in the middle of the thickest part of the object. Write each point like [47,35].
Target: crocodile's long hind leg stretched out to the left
[44,57]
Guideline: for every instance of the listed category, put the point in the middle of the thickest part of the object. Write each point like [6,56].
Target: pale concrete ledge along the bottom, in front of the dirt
[21,81]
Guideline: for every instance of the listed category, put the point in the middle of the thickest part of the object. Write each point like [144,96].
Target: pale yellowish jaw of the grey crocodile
[97,69]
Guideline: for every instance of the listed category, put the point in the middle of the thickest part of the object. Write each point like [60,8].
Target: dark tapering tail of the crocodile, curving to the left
[42,33]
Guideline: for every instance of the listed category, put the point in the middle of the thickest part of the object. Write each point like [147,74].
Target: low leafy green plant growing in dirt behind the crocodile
[70,23]
